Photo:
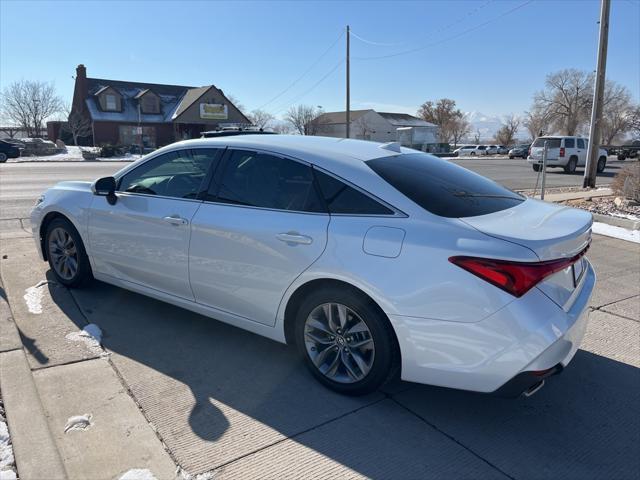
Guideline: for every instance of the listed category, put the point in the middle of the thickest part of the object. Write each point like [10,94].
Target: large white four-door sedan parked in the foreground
[371,258]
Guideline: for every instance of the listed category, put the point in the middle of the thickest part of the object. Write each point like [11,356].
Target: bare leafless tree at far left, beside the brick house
[29,104]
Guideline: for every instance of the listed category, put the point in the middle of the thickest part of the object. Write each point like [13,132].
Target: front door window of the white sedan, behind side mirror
[174,174]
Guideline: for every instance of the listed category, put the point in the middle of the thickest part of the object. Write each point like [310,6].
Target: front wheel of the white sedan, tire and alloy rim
[66,254]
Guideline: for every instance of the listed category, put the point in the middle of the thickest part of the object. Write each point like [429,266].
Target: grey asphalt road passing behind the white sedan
[22,183]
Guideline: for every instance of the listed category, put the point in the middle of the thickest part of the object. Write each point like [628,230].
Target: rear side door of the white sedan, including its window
[262,224]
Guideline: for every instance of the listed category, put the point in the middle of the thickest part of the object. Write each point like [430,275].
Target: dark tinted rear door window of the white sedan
[261,180]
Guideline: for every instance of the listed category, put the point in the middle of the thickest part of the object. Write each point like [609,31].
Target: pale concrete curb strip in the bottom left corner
[35,451]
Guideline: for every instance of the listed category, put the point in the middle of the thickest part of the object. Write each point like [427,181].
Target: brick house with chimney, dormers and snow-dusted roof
[134,113]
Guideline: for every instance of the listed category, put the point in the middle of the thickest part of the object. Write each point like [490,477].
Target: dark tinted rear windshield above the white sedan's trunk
[444,188]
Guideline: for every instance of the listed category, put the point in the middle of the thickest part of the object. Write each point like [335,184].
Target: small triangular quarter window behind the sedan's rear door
[343,199]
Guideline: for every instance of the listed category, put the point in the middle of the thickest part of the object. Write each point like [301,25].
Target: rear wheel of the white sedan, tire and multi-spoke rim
[327,345]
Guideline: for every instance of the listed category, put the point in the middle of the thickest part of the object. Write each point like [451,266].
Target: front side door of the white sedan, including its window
[144,237]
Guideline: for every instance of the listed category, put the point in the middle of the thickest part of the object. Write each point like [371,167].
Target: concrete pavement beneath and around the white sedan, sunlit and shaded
[181,390]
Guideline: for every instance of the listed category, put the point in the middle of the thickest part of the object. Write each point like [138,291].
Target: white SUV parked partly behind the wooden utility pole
[564,151]
